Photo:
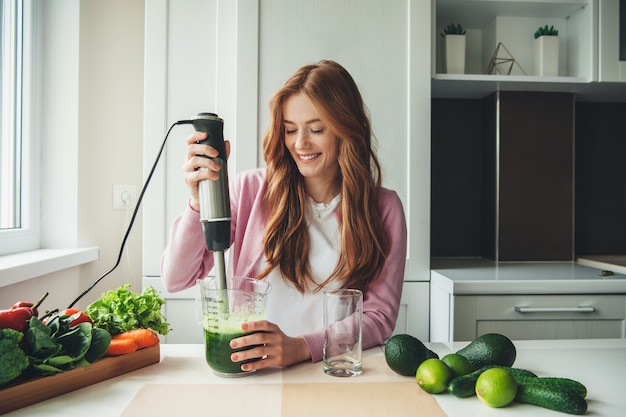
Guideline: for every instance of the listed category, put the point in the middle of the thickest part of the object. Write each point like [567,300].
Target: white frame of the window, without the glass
[27,236]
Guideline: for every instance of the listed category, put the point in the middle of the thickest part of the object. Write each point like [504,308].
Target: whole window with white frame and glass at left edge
[18,217]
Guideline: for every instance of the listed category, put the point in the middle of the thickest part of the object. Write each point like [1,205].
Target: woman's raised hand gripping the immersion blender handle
[198,168]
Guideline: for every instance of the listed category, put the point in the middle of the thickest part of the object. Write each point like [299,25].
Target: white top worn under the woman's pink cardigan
[297,313]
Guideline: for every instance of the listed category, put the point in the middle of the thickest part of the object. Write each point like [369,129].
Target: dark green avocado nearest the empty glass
[404,353]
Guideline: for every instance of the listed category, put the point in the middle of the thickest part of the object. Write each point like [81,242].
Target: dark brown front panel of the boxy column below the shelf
[536,170]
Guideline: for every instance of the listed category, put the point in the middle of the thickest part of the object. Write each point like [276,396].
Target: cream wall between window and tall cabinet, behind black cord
[91,130]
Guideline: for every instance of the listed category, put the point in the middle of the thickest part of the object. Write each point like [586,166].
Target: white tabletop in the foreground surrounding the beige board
[600,364]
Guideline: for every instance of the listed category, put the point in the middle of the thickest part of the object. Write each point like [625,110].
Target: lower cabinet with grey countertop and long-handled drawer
[560,300]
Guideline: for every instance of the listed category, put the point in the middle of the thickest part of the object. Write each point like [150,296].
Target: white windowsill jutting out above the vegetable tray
[24,266]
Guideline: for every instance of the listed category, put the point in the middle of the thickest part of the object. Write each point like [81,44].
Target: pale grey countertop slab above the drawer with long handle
[482,276]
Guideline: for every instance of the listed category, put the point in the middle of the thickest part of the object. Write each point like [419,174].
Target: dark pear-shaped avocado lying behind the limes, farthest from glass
[490,349]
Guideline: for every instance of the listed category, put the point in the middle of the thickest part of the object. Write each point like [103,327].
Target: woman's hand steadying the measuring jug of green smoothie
[271,344]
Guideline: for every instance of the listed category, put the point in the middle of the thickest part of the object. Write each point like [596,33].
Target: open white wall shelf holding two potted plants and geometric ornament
[513,23]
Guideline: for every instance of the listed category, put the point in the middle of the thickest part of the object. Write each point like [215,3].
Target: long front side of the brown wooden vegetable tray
[40,389]
